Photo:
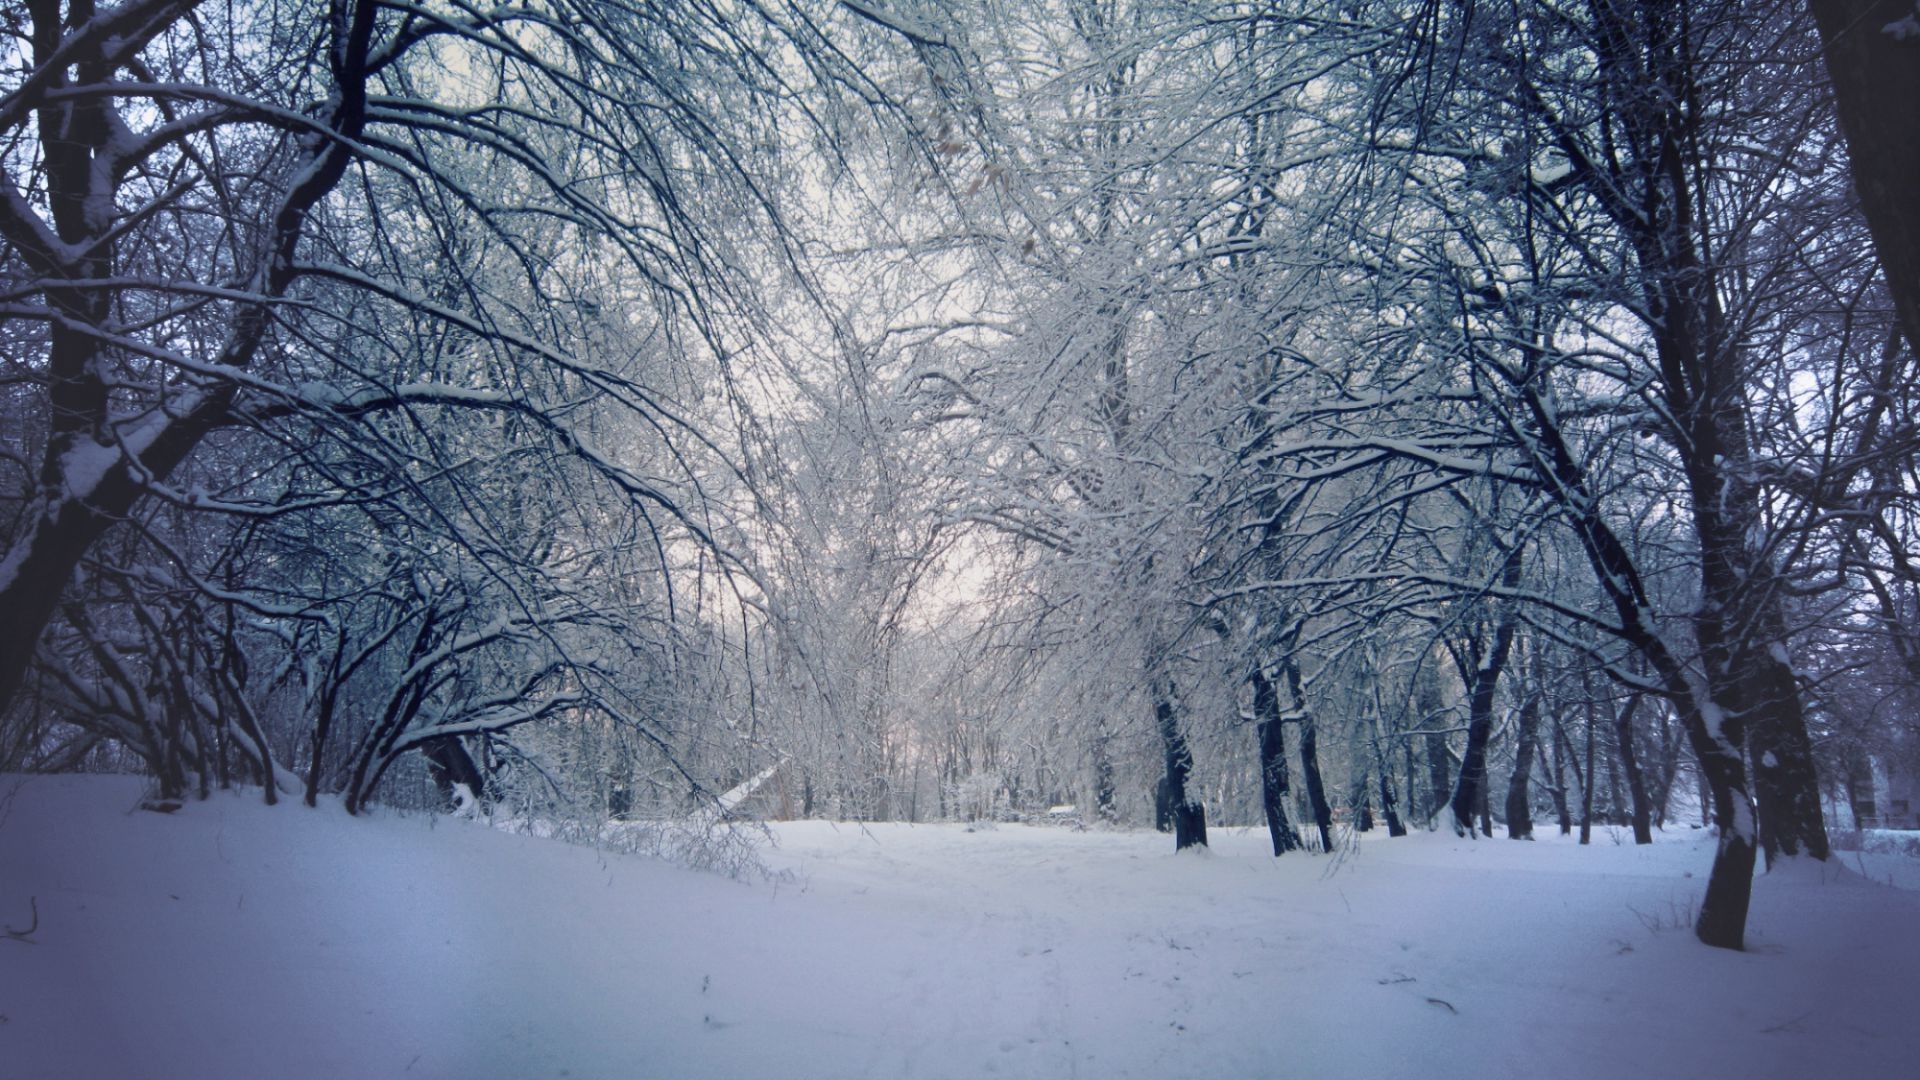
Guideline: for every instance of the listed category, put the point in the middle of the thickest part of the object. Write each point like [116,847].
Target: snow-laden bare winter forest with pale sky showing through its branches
[1414,422]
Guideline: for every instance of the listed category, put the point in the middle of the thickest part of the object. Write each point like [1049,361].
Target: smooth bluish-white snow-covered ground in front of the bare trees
[251,943]
